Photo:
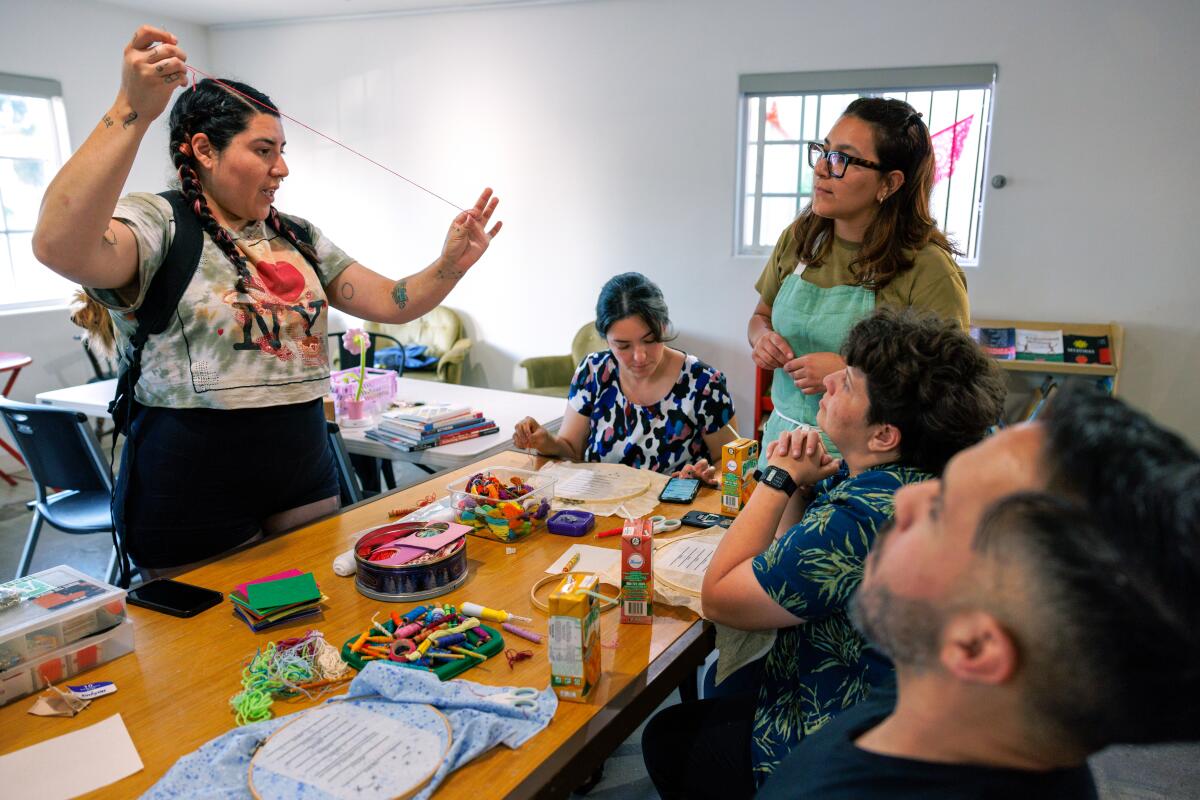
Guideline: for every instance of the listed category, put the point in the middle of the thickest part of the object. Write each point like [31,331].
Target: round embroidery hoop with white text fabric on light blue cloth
[391,774]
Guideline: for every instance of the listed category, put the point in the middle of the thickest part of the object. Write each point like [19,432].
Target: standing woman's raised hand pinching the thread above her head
[153,69]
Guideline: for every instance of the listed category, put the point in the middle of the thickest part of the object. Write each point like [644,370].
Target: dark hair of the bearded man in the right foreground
[1114,552]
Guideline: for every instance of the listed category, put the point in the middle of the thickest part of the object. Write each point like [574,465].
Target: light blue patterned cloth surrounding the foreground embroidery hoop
[220,768]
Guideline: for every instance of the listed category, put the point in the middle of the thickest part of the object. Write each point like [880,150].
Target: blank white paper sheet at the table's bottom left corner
[75,763]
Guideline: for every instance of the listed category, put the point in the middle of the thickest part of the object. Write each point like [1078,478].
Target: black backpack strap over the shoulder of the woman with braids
[161,300]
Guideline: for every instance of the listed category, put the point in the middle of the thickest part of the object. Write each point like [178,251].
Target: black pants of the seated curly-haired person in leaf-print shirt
[703,749]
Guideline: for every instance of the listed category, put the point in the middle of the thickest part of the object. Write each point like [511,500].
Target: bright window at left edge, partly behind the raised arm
[33,148]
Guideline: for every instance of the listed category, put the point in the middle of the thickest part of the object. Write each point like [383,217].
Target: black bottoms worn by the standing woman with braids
[197,483]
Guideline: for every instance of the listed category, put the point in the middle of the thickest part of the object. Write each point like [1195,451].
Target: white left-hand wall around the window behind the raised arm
[80,45]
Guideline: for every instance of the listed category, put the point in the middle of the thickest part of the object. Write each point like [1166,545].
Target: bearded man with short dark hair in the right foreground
[1040,604]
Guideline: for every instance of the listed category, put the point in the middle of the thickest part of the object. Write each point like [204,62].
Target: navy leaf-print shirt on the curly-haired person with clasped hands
[823,666]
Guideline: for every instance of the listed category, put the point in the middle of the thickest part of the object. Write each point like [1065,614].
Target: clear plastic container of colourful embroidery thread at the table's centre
[503,503]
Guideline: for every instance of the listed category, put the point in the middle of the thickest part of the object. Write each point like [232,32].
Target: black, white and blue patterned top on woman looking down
[662,437]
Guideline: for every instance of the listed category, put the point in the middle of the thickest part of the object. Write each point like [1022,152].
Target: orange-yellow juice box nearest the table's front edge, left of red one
[575,639]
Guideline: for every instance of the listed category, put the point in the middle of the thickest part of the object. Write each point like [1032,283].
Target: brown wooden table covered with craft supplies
[175,689]
